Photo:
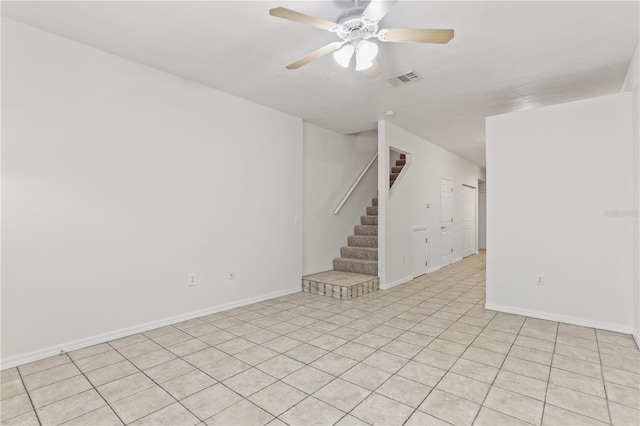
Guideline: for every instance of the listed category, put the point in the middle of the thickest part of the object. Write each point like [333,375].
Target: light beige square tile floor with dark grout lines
[424,353]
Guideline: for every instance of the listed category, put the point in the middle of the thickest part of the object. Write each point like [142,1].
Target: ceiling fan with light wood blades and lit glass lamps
[355,27]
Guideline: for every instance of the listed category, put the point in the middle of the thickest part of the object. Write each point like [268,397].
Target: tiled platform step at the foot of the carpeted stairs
[340,285]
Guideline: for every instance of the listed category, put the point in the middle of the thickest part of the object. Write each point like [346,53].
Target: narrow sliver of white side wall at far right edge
[631,84]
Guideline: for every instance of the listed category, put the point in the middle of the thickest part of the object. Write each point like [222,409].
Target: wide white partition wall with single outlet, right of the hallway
[551,174]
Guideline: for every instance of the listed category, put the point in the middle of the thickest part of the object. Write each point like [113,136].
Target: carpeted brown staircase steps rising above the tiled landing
[361,254]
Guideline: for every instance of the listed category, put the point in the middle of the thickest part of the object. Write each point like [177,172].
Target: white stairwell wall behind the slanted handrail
[331,164]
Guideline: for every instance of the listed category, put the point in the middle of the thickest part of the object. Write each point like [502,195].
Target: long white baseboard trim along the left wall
[39,354]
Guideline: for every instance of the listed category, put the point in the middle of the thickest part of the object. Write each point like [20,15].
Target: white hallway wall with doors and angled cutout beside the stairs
[404,207]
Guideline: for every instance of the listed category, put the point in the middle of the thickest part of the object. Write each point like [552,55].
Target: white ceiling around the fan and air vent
[505,56]
